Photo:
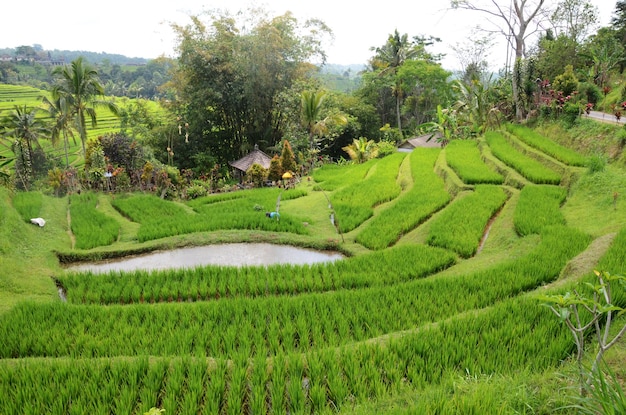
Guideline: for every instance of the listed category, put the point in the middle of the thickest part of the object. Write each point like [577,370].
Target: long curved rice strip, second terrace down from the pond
[267,325]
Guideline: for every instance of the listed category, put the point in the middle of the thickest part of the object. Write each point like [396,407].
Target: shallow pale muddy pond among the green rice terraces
[225,254]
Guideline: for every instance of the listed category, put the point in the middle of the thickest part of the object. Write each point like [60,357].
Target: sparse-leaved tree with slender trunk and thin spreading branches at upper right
[518,20]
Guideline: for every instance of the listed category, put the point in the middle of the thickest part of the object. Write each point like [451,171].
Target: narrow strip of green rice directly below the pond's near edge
[215,282]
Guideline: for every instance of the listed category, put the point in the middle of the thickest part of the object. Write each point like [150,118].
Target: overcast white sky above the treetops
[141,28]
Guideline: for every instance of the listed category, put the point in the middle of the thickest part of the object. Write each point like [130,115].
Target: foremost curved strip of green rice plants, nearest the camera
[511,336]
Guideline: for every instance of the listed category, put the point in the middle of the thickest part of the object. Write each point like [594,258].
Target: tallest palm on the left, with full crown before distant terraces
[78,86]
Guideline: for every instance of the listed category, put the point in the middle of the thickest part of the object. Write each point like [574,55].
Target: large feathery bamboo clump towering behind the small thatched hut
[230,74]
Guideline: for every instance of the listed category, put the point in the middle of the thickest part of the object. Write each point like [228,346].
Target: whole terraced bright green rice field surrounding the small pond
[433,311]
